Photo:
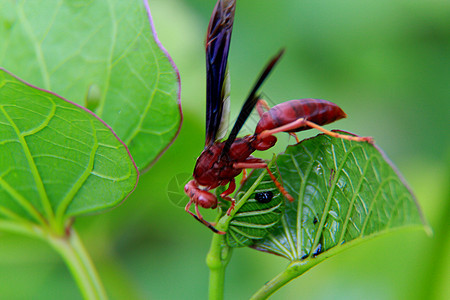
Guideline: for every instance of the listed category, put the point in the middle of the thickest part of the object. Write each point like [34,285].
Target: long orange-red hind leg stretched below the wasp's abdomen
[303,122]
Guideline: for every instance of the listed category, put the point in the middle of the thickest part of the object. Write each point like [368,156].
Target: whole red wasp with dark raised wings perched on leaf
[221,161]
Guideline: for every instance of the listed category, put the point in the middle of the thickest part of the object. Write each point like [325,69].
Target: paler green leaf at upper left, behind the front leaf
[102,54]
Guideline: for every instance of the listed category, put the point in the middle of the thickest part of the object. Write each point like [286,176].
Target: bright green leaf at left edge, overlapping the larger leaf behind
[57,159]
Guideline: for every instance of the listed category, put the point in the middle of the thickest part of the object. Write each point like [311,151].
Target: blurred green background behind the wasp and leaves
[385,62]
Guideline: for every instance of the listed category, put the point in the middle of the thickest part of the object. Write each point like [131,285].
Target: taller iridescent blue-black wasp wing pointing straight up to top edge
[218,39]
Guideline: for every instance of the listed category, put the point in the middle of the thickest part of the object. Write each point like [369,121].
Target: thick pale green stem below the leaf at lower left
[80,265]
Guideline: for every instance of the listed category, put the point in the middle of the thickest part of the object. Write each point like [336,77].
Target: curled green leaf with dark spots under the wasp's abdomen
[344,192]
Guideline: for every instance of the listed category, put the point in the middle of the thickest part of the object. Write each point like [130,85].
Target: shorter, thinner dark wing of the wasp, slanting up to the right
[250,103]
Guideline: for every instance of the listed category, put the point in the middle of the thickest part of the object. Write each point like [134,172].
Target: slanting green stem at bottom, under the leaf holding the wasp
[293,270]
